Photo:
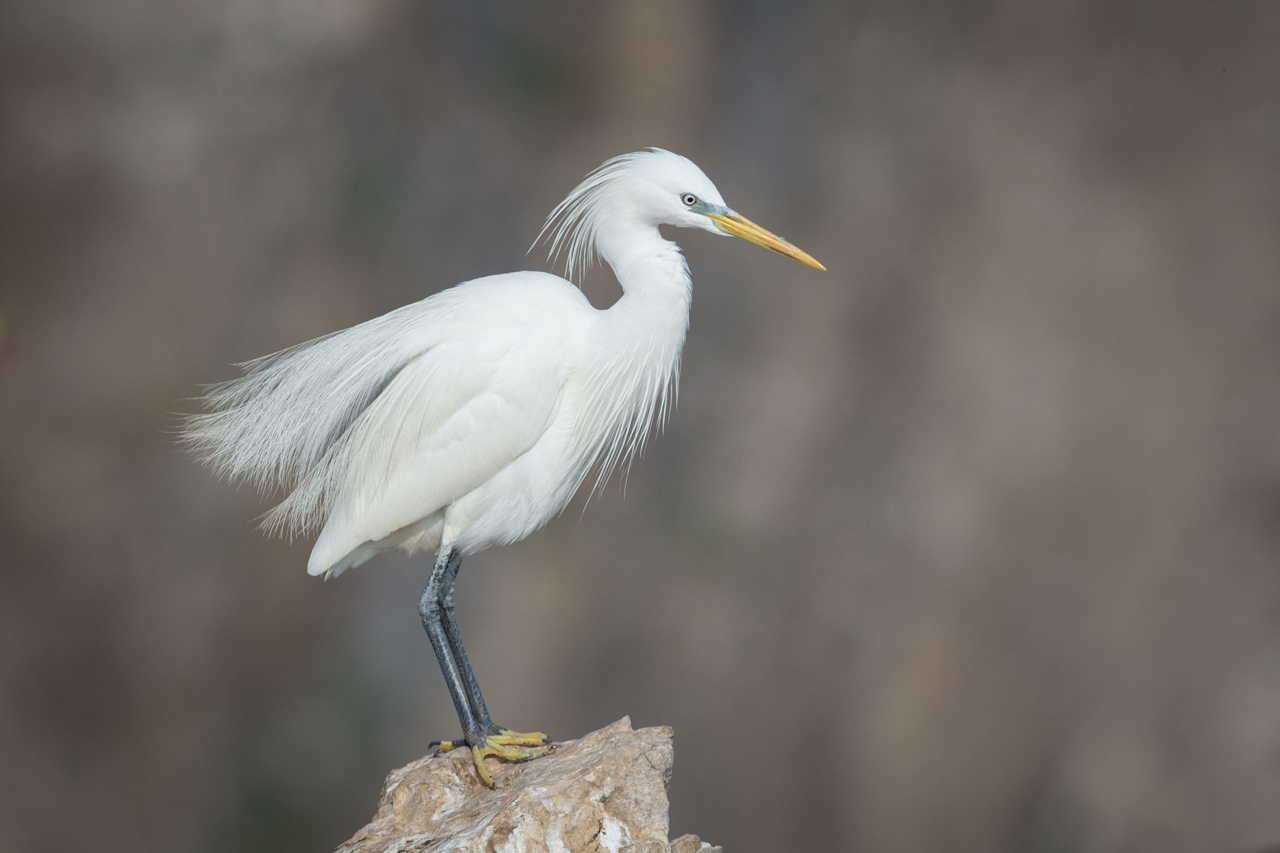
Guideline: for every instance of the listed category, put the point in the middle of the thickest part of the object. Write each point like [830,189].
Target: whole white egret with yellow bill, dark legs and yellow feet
[469,419]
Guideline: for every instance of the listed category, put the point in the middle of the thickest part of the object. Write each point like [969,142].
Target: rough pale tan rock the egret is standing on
[606,792]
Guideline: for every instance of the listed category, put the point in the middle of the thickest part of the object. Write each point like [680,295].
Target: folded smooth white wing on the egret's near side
[447,425]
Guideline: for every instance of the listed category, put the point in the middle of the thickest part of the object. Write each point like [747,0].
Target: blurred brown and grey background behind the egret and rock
[972,544]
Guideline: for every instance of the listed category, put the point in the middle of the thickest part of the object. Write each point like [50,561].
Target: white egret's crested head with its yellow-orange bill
[652,188]
